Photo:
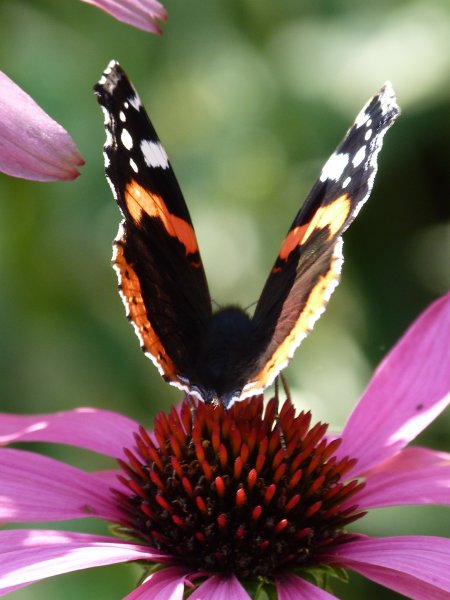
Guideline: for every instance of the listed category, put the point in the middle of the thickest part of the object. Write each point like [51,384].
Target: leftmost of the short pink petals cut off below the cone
[165,584]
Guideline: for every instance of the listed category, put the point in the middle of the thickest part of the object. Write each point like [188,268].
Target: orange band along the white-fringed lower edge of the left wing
[130,290]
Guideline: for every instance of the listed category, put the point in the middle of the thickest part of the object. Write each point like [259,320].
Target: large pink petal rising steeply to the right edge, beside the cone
[408,391]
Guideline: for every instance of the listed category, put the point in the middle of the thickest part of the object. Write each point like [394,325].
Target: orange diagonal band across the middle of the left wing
[139,201]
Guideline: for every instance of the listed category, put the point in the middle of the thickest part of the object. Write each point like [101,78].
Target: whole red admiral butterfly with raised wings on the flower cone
[227,355]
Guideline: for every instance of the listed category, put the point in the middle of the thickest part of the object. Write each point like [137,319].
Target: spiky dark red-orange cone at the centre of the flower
[221,493]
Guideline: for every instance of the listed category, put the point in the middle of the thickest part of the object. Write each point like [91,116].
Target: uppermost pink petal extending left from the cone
[98,430]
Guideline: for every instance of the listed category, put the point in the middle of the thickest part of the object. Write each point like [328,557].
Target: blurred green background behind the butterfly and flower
[250,97]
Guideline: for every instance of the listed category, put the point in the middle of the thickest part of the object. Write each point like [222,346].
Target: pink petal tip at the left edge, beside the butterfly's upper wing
[32,144]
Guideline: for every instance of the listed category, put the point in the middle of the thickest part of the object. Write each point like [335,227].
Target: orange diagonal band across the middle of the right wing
[332,216]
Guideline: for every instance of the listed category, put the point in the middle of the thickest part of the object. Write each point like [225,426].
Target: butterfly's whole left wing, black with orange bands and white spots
[156,257]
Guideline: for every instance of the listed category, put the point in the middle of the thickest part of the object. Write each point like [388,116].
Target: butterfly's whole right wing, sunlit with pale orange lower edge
[308,265]
